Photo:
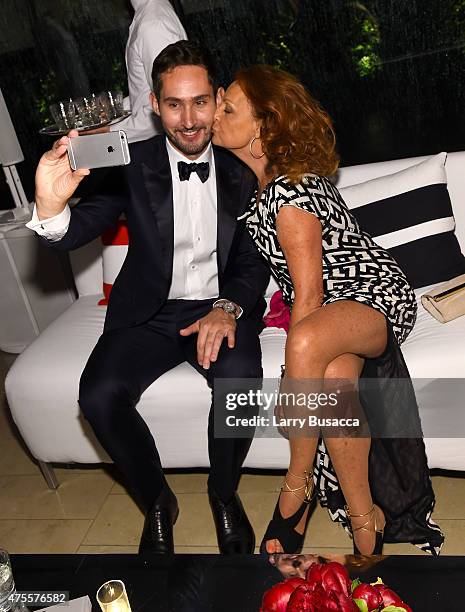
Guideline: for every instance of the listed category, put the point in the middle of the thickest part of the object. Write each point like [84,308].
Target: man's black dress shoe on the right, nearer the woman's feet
[233,529]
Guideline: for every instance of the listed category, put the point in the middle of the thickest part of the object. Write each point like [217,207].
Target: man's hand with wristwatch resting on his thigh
[212,329]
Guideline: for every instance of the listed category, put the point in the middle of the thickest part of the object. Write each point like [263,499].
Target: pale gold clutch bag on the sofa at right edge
[447,301]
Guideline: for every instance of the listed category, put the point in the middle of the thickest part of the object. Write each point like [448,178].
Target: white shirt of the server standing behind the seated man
[155,26]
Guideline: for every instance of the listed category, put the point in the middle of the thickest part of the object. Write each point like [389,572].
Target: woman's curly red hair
[297,134]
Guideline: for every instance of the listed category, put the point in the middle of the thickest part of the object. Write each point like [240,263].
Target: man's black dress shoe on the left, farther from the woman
[157,535]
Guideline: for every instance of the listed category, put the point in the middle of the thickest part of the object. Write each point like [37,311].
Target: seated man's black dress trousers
[127,361]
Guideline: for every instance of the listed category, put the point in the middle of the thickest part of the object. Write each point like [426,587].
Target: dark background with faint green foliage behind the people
[390,72]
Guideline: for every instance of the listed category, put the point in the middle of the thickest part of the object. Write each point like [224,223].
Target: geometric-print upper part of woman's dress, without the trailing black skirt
[354,266]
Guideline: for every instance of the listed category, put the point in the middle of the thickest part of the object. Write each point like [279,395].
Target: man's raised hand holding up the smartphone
[55,181]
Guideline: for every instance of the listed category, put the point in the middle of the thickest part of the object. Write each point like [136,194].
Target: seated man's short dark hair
[182,53]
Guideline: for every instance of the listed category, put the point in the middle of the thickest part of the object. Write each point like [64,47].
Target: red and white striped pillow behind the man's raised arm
[115,247]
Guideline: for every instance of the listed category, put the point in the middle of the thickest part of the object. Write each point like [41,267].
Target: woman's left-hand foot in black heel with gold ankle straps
[290,515]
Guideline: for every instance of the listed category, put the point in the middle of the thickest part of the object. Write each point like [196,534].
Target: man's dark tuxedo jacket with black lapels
[143,283]
